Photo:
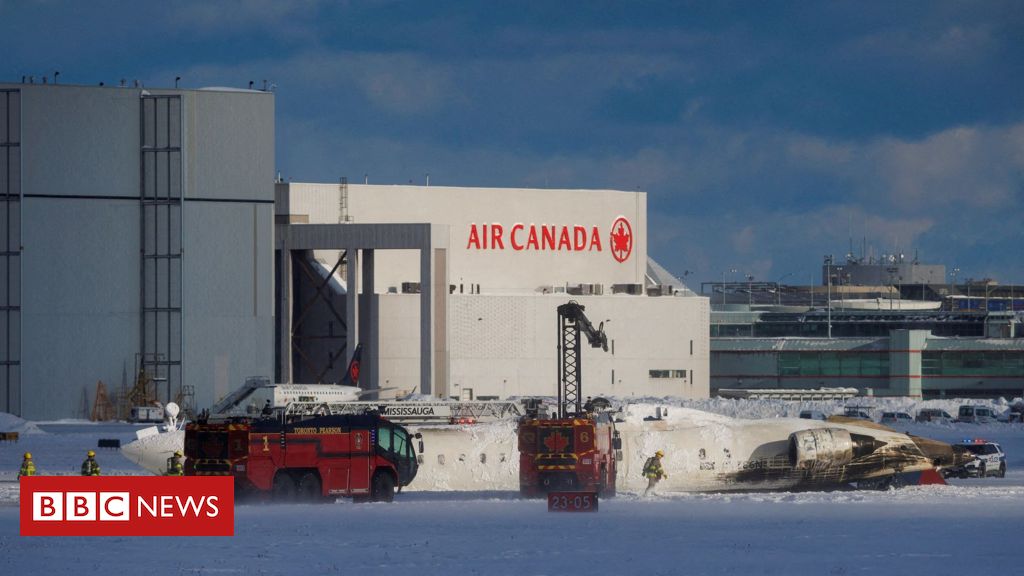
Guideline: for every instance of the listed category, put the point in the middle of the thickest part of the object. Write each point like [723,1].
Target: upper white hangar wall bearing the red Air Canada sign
[473,261]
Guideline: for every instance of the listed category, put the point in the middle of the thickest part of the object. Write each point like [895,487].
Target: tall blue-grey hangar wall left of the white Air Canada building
[81,226]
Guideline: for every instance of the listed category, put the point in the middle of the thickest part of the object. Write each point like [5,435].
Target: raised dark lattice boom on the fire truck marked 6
[573,321]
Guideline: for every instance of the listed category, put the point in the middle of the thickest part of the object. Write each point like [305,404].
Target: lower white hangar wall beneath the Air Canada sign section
[506,346]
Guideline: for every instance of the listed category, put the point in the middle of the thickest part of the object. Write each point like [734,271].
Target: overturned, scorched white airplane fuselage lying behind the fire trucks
[704,452]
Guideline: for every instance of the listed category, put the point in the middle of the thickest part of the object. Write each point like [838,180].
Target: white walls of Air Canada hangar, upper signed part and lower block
[501,339]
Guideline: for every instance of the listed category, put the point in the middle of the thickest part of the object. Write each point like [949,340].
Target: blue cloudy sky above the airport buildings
[766,135]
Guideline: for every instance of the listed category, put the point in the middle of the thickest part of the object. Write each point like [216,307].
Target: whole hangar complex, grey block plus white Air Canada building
[143,231]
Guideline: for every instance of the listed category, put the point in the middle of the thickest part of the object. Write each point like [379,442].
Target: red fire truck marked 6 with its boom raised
[578,449]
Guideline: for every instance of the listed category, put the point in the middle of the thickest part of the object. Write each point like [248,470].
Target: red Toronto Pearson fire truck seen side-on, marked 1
[306,458]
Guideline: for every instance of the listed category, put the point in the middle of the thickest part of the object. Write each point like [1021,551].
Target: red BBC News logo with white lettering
[127,507]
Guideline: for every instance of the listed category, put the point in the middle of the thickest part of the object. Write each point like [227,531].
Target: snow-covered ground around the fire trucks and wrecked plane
[971,526]
